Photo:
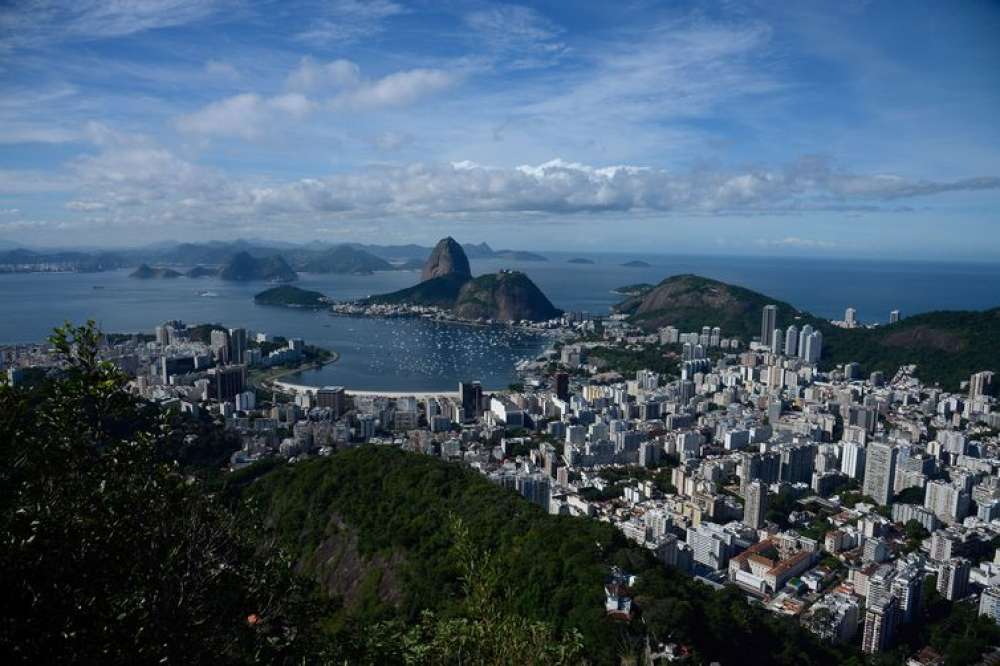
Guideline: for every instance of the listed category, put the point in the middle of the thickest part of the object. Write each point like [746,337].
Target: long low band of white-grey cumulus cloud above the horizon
[132,178]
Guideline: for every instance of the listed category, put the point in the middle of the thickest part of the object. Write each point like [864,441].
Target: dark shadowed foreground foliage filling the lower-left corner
[107,553]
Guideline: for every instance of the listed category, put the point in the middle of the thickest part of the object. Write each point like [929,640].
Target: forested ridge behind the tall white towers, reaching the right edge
[946,347]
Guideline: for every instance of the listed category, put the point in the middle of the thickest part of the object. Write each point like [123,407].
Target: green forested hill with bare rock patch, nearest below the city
[373,526]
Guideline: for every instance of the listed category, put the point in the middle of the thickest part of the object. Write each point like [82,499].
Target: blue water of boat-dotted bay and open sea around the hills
[412,355]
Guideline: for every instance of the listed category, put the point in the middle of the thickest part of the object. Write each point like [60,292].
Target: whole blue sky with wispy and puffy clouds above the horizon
[847,129]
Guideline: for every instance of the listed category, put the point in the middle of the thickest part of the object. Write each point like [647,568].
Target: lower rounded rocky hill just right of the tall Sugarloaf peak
[505,296]
